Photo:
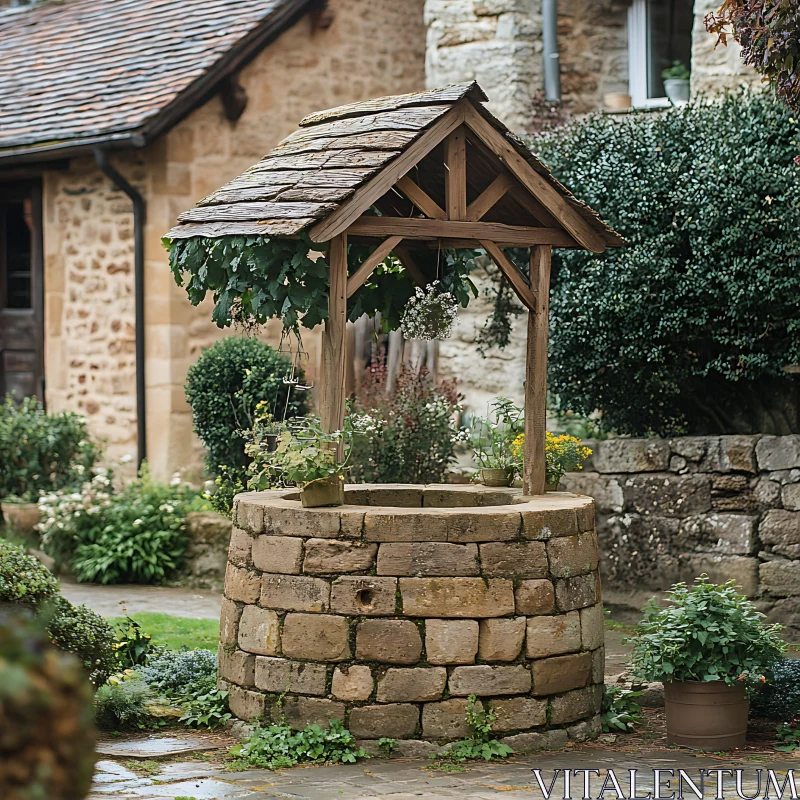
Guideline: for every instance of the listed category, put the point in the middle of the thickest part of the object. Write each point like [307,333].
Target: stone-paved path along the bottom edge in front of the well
[406,779]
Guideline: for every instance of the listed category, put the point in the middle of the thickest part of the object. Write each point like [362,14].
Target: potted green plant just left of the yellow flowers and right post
[493,442]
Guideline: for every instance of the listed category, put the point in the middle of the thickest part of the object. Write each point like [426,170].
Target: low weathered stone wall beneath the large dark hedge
[669,510]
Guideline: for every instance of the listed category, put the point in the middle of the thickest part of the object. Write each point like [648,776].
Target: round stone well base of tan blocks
[388,612]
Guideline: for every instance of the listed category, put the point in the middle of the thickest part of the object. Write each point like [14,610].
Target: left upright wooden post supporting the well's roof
[333,338]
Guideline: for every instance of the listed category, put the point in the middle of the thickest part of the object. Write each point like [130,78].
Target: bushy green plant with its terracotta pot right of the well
[709,646]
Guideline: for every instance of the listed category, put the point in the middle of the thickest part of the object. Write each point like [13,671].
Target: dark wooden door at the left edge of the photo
[21,290]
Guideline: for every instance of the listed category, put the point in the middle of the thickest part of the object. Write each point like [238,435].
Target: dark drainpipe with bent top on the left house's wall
[139,212]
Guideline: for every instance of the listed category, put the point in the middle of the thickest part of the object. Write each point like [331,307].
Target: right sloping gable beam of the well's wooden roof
[539,186]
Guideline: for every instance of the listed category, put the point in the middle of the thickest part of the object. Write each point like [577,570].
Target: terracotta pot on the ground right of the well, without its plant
[707,716]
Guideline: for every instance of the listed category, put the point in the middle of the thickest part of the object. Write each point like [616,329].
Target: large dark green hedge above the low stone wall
[689,328]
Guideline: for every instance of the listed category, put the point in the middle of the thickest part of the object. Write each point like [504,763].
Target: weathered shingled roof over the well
[333,153]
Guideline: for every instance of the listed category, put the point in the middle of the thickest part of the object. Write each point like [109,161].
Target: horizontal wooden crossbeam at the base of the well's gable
[511,235]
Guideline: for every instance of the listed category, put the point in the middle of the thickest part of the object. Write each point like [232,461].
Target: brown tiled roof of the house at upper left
[86,71]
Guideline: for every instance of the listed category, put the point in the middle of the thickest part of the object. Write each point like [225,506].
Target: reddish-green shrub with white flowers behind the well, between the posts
[415,435]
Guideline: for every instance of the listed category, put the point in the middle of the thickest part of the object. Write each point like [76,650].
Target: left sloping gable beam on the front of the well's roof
[352,208]
